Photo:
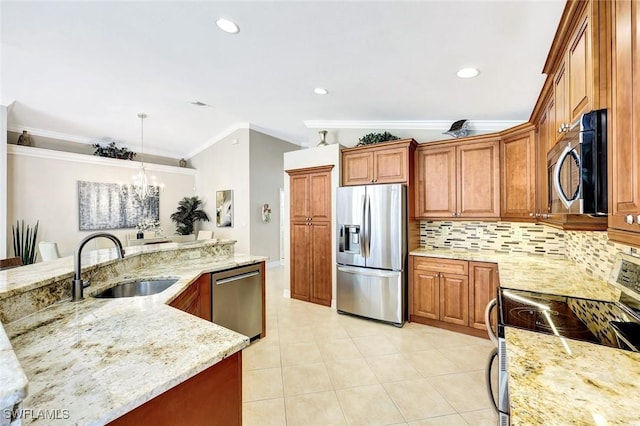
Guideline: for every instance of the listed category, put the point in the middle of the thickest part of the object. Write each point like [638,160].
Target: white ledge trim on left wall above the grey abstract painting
[28,151]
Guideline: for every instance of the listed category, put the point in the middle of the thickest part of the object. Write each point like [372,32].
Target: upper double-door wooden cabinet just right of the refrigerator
[459,179]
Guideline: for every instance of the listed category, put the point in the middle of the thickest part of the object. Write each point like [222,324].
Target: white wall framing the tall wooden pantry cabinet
[319,156]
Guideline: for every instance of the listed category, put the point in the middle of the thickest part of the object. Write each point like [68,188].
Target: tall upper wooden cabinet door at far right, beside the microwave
[624,173]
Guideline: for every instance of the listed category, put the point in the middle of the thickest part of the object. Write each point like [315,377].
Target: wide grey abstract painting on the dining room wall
[113,206]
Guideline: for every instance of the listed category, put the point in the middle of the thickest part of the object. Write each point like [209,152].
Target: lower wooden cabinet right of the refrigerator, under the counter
[451,294]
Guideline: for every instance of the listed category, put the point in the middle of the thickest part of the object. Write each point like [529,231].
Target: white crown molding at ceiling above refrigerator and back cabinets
[480,125]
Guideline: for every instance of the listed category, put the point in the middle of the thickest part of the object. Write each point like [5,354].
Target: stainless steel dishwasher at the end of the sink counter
[237,299]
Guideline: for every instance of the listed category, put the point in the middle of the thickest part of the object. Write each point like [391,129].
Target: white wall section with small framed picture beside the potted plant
[222,166]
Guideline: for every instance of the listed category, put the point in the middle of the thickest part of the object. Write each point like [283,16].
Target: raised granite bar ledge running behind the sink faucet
[41,274]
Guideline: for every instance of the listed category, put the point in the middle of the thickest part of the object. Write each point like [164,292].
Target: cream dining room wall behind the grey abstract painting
[43,185]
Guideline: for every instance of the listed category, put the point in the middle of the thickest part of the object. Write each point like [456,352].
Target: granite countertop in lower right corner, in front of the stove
[553,380]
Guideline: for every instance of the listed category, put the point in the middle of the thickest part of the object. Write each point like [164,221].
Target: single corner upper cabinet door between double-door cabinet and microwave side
[518,166]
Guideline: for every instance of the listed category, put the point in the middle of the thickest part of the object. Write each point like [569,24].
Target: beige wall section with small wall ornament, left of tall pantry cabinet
[266,164]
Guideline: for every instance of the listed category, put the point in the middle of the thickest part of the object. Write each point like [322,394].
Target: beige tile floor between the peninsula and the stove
[317,367]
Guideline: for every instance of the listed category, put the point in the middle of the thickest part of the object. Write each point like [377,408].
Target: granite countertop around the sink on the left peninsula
[99,358]
